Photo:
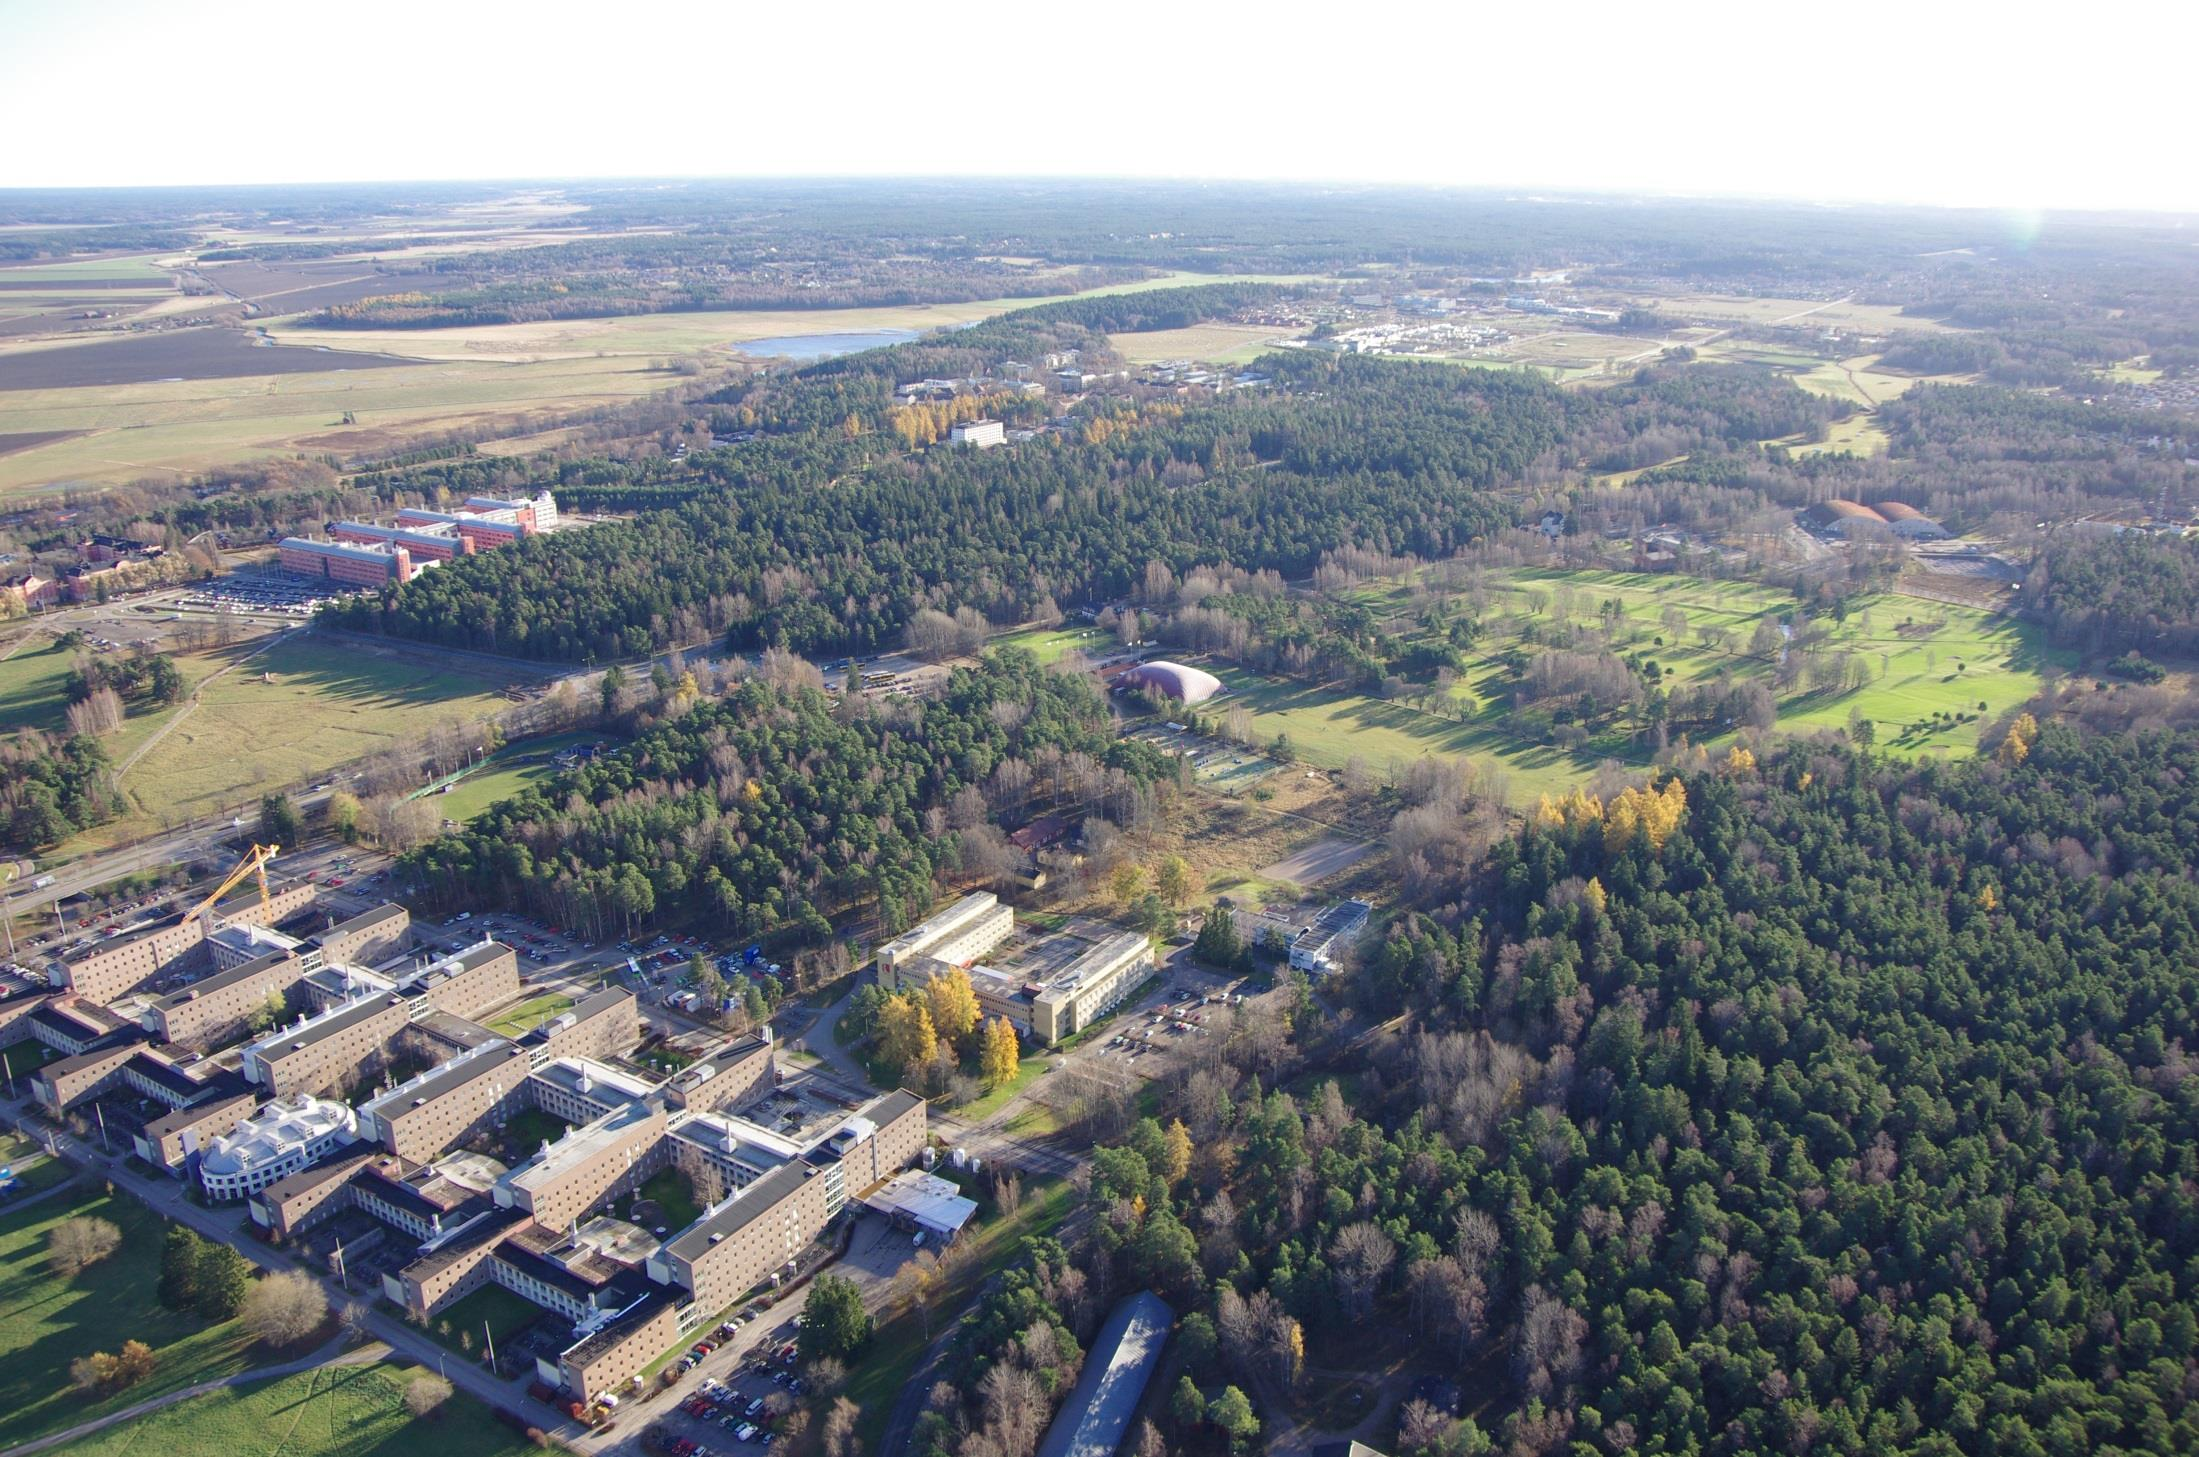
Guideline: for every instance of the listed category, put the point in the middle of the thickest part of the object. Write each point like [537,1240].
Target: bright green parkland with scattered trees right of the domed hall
[1925,660]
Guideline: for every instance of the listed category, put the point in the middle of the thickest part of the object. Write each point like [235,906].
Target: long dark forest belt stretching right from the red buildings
[1338,454]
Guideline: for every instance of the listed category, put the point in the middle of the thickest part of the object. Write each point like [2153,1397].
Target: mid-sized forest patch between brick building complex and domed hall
[777,808]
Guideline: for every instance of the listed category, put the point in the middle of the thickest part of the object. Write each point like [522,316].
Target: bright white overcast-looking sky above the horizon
[2007,104]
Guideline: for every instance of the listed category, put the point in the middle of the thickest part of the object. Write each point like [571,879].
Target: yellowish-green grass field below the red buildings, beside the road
[324,707]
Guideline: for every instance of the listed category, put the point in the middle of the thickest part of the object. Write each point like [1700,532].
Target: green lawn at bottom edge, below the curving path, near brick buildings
[333,1412]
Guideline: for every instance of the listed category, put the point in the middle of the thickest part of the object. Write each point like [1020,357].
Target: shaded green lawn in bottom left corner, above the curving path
[47,1322]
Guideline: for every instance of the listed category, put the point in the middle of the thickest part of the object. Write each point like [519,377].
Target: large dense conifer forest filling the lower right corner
[1815,1106]
